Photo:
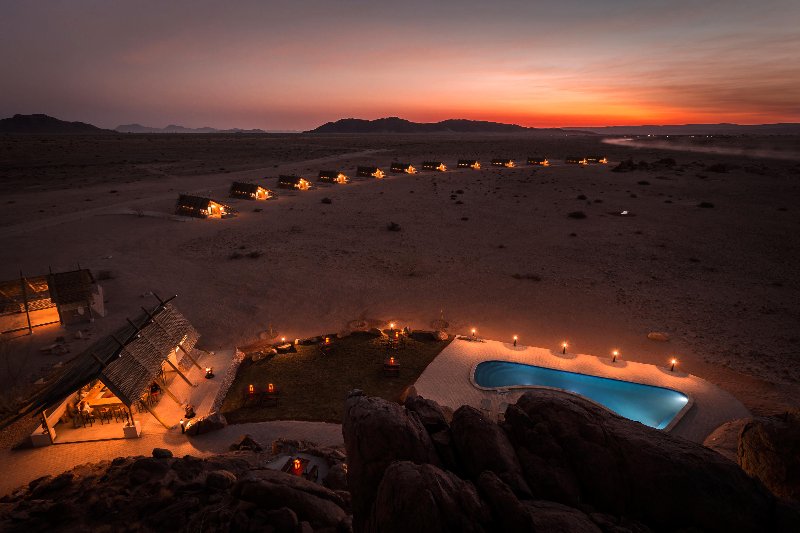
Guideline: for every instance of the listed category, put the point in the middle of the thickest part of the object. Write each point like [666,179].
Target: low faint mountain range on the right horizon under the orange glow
[786,128]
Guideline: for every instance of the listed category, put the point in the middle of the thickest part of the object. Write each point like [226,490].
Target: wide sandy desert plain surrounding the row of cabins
[492,249]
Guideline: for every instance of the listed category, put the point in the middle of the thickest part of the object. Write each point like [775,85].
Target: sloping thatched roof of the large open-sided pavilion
[127,367]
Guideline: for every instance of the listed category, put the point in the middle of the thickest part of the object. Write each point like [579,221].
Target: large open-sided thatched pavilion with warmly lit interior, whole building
[116,374]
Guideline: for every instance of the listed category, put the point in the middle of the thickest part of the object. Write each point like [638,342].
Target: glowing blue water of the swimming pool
[652,406]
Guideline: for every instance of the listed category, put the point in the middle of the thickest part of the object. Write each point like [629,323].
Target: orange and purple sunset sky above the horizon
[296,65]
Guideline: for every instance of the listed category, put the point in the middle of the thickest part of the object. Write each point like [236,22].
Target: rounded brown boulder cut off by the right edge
[769,449]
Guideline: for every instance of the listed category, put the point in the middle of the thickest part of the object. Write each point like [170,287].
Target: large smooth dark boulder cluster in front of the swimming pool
[557,463]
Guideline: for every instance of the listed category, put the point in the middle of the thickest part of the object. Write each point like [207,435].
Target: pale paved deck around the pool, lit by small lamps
[448,381]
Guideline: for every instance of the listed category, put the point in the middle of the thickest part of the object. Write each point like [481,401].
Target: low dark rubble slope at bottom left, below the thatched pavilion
[231,492]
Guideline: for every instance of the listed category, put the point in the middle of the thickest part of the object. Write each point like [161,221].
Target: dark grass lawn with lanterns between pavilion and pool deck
[314,386]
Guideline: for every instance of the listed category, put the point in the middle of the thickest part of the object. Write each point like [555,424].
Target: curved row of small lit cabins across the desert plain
[202,207]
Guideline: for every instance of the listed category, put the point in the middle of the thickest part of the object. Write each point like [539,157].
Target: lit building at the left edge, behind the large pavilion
[56,298]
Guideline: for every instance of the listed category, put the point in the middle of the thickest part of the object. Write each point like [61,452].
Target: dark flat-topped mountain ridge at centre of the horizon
[400,125]
